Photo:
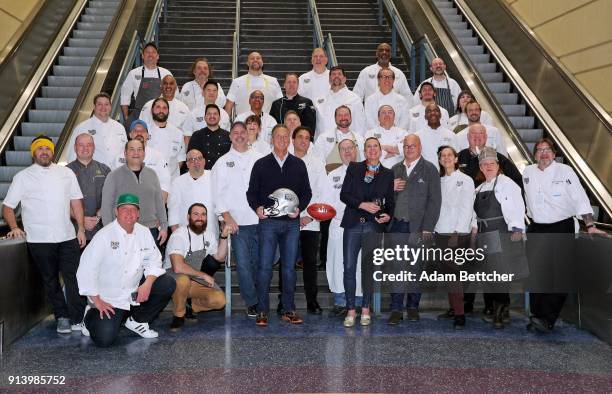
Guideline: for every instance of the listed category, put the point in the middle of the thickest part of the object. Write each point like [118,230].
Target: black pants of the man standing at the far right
[547,306]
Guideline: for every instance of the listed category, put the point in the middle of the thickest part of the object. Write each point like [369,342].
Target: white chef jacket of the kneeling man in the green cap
[114,262]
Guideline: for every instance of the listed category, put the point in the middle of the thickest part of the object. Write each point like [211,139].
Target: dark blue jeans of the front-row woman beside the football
[351,243]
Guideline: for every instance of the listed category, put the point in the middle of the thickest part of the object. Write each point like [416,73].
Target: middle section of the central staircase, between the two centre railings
[279,30]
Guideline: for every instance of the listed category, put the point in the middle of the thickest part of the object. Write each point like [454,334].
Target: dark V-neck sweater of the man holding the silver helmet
[267,176]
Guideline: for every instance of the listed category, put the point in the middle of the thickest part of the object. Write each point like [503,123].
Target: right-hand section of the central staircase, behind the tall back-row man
[356,34]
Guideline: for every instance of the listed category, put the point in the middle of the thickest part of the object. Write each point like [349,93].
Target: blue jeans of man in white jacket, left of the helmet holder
[245,243]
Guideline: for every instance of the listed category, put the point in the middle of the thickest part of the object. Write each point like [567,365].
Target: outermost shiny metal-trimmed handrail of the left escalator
[39,77]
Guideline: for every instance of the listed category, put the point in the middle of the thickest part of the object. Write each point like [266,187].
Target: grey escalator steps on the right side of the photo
[506,95]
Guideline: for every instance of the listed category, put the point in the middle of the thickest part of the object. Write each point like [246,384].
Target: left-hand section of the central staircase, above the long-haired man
[198,28]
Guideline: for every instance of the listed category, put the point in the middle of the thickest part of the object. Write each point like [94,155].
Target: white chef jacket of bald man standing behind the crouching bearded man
[184,192]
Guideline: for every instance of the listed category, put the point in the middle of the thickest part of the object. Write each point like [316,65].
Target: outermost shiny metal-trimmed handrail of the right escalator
[569,151]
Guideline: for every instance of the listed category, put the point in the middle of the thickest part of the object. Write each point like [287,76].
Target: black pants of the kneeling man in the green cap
[104,331]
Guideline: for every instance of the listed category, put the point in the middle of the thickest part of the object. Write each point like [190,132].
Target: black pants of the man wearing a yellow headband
[51,259]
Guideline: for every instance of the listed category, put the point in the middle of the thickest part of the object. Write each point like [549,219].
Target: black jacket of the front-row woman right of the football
[355,191]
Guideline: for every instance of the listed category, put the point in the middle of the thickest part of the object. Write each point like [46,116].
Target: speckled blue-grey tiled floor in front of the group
[219,356]
